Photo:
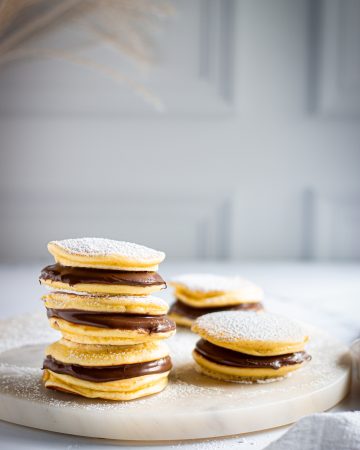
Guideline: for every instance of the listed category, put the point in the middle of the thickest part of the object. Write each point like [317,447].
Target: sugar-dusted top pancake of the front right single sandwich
[261,334]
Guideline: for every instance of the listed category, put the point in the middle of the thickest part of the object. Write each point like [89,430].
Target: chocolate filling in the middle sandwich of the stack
[149,324]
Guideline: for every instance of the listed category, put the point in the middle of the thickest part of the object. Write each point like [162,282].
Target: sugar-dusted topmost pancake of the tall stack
[105,254]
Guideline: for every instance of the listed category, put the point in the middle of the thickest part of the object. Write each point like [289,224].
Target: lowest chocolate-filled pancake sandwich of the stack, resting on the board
[114,373]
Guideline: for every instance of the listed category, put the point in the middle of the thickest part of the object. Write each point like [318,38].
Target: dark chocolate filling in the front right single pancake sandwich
[232,358]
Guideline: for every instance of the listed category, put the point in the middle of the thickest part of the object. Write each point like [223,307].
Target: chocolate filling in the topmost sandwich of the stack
[76,275]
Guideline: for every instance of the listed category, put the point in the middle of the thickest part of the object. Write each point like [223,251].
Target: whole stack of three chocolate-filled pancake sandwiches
[112,327]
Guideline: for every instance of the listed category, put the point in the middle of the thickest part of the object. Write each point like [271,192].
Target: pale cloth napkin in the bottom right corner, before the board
[326,431]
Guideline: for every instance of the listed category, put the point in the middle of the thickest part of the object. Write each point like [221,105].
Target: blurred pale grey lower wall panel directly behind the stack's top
[183,226]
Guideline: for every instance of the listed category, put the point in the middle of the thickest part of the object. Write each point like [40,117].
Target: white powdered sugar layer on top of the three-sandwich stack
[108,247]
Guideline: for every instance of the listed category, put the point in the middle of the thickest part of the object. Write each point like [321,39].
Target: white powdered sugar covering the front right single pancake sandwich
[239,325]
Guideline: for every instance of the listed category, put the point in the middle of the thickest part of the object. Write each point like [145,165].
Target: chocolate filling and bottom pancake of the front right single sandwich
[229,365]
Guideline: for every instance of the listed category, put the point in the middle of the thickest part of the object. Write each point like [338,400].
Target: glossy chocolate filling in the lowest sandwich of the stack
[108,373]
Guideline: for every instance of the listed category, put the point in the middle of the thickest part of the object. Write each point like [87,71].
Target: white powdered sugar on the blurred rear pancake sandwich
[206,282]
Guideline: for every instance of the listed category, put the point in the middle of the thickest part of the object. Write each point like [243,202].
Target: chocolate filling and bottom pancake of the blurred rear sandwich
[185,315]
